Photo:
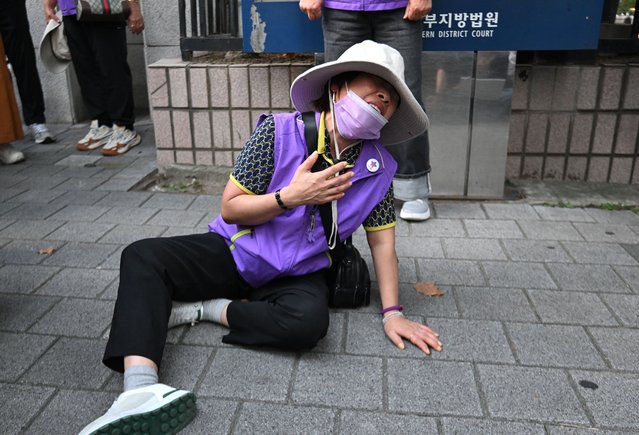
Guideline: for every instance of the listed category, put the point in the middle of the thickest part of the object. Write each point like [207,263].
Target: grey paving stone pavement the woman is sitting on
[539,317]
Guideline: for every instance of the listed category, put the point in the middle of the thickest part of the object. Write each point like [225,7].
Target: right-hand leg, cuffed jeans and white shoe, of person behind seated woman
[411,183]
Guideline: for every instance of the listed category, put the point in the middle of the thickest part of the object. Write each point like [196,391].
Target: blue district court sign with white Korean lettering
[453,25]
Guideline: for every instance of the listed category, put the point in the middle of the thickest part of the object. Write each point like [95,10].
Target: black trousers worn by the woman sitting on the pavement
[287,313]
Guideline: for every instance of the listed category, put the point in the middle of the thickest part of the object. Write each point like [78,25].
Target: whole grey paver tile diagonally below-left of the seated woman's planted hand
[335,380]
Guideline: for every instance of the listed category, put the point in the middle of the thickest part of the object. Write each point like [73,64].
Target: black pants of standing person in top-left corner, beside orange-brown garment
[14,27]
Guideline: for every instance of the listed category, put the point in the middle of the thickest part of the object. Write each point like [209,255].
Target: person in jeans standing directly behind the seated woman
[397,23]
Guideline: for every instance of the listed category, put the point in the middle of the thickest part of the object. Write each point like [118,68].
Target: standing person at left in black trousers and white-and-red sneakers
[99,56]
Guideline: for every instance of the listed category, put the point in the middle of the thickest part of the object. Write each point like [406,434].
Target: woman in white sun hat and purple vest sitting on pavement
[260,270]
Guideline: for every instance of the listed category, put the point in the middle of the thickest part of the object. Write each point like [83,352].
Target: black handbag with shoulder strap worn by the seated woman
[348,279]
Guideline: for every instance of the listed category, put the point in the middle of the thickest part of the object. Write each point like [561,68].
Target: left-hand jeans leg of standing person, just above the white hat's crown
[342,29]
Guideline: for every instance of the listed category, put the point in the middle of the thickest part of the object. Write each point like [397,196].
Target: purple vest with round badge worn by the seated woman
[294,243]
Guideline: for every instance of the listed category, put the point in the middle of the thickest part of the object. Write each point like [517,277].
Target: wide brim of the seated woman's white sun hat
[408,121]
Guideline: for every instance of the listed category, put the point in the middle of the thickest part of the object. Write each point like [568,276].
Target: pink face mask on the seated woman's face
[356,119]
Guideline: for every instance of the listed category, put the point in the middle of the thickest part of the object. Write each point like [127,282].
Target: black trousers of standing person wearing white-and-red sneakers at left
[99,56]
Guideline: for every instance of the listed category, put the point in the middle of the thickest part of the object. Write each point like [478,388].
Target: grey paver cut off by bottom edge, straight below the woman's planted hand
[366,423]
